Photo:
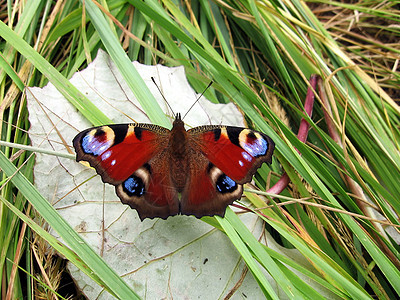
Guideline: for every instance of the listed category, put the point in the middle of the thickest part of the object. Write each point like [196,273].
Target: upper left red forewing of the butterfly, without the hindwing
[117,151]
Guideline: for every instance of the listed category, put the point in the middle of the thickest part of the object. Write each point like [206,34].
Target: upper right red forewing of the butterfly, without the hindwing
[238,152]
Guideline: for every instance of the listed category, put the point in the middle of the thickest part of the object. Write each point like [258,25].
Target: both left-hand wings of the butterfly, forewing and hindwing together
[130,157]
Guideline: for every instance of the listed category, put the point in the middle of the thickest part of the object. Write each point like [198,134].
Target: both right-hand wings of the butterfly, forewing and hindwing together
[223,158]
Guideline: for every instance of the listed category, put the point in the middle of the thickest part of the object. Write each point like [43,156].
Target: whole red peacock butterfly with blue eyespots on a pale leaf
[161,172]
